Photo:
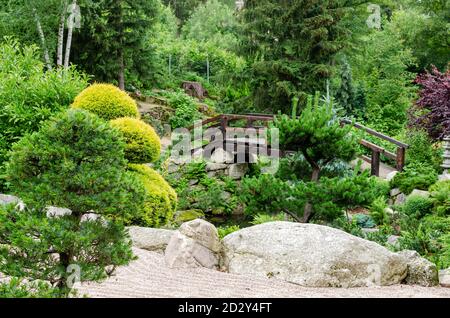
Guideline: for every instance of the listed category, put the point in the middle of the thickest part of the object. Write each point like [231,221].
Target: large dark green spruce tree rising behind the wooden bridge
[291,44]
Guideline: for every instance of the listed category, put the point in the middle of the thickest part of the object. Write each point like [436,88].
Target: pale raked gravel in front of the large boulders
[148,277]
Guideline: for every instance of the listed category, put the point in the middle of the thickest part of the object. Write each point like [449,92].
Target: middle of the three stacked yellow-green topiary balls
[143,143]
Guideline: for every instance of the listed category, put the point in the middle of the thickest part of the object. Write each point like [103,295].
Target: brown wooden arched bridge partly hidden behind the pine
[226,123]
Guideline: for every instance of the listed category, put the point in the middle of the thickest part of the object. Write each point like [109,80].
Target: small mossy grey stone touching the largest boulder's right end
[420,270]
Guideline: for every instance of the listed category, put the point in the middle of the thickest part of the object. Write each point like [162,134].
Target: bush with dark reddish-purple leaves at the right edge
[432,109]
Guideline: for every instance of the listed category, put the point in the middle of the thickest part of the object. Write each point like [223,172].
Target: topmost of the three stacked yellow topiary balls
[106,101]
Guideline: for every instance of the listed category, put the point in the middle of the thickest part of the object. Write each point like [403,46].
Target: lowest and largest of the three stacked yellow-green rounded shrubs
[161,199]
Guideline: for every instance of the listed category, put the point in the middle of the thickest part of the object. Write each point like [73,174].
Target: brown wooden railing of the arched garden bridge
[223,121]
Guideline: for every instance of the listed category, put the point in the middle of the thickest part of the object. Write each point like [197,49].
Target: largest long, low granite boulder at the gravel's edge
[311,255]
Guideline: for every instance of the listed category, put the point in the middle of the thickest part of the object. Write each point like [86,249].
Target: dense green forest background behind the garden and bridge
[251,59]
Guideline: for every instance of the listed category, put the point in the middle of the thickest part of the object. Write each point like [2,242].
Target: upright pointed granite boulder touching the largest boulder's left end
[195,244]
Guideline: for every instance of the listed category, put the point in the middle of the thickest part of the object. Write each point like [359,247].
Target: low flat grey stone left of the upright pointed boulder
[150,239]
